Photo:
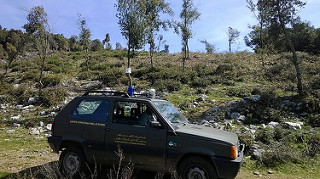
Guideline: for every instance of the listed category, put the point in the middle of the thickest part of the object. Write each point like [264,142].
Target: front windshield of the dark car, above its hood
[169,112]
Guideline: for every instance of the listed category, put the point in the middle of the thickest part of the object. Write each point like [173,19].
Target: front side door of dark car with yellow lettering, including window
[141,144]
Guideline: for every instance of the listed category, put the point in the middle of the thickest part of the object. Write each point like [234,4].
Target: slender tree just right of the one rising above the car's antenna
[154,8]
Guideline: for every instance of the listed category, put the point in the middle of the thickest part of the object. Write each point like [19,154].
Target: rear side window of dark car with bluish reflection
[92,110]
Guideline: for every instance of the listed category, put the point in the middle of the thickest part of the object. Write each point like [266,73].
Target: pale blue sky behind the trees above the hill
[216,17]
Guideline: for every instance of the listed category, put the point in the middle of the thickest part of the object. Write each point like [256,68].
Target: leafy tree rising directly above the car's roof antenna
[132,25]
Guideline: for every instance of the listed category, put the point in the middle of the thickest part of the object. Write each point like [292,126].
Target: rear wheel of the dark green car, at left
[72,163]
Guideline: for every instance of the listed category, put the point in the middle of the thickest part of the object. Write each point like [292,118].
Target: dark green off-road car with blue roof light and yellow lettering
[152,134]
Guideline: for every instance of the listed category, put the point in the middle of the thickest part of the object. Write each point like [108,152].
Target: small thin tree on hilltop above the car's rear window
[84,38]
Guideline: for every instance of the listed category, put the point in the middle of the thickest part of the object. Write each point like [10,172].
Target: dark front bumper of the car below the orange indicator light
[227,168]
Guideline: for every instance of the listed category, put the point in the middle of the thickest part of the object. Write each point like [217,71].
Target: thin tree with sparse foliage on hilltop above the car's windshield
[188,16]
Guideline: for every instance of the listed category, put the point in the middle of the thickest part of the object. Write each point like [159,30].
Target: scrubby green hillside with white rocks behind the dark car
[230,91]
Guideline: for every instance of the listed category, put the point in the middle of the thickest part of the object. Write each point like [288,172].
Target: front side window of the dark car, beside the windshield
[132,113]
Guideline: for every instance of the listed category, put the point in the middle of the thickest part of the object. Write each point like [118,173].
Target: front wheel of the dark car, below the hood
[197,168]
